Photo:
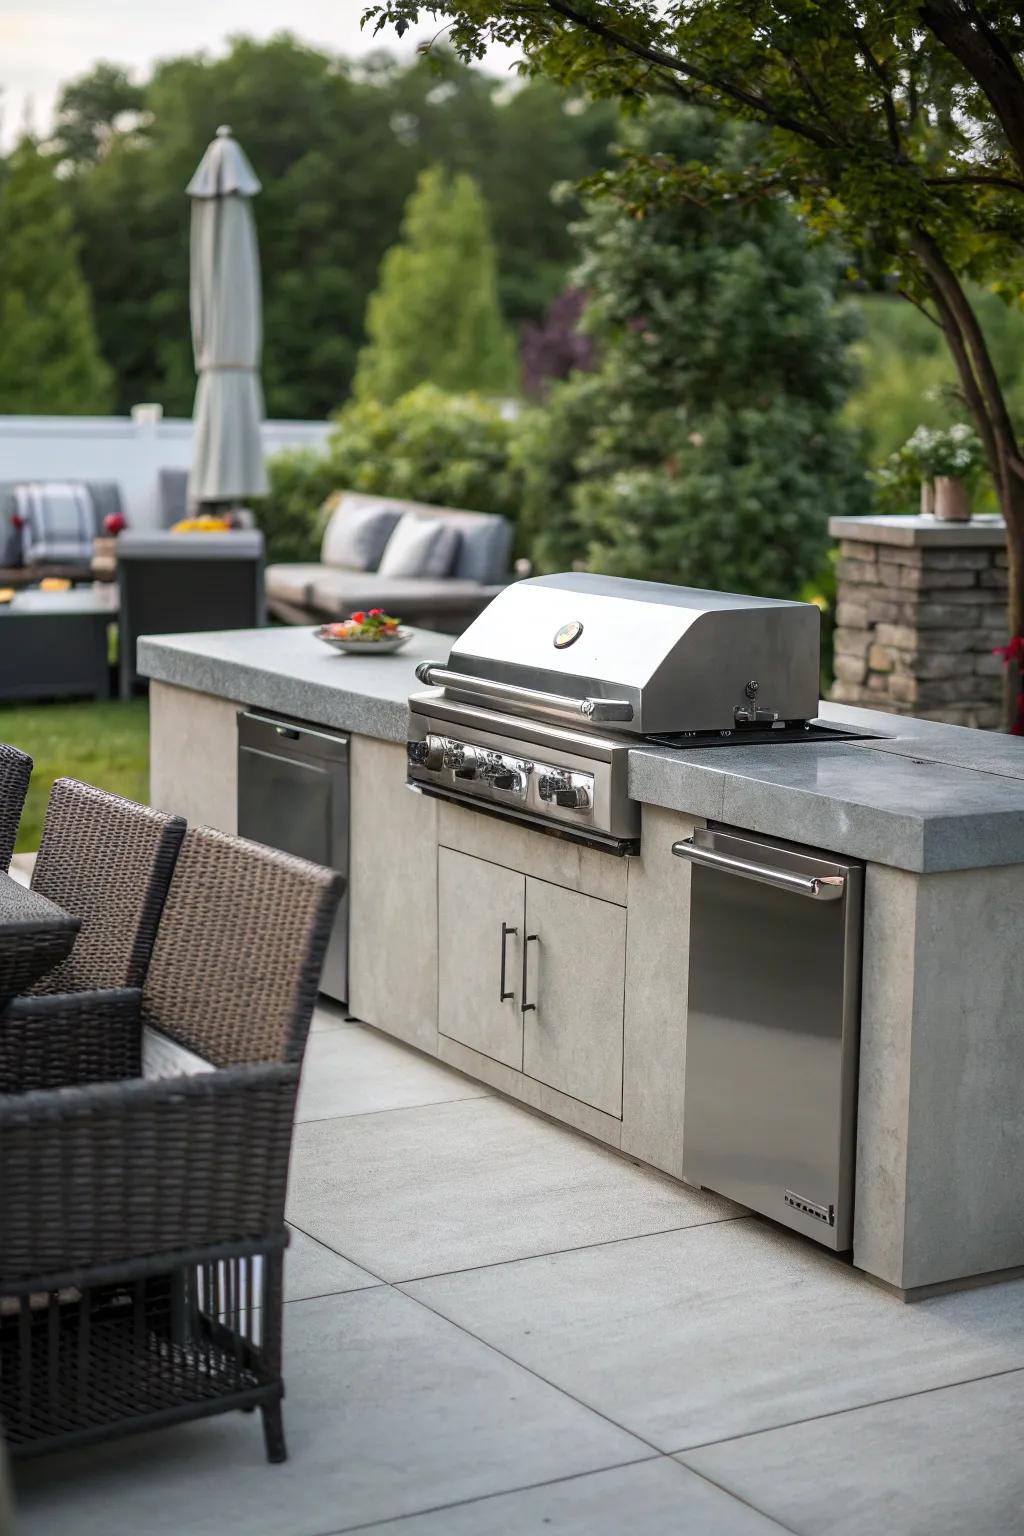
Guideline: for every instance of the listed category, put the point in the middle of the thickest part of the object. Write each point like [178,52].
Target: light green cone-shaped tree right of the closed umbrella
[435,316]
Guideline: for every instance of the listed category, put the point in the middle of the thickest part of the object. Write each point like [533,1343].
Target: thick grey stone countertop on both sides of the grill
[927,798]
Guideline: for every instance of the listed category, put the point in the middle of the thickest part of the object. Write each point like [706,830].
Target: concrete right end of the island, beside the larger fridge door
[940,1133]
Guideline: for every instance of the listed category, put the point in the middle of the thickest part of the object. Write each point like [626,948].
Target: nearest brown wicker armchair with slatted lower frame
[142,1226]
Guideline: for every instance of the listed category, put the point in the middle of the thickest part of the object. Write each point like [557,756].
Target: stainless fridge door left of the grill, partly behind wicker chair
[294,795]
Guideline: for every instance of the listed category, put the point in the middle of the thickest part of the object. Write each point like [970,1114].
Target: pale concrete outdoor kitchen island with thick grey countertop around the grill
[934,812]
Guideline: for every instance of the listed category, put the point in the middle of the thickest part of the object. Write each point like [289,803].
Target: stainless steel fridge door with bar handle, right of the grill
[773,1030]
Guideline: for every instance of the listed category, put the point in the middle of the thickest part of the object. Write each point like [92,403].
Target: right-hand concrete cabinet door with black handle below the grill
[573,993]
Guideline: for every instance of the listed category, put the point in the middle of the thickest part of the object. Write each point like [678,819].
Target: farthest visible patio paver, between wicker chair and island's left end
[351,1070]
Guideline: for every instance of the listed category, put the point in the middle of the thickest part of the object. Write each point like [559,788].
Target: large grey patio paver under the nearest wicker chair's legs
[391,1411]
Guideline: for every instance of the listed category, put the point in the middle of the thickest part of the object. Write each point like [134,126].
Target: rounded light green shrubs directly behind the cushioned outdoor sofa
[452,451]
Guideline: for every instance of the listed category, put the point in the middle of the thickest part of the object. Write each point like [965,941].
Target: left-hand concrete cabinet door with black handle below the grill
[480,956]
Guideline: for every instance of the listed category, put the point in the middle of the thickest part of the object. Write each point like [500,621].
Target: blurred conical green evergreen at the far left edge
[51,359]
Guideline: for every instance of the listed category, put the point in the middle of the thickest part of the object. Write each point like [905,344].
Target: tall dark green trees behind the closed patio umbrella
[339,150]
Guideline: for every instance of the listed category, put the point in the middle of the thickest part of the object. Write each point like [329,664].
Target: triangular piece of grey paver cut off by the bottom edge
[642,1500]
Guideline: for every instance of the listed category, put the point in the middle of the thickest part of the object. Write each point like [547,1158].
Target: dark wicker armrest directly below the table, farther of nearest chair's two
[70,1039]
